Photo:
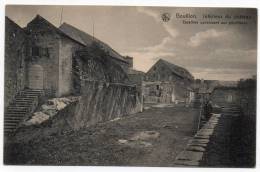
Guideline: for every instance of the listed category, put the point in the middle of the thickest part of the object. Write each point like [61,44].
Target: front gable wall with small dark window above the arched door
[46,40]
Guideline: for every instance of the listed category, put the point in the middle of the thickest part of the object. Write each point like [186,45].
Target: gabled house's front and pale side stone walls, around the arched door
[53,51]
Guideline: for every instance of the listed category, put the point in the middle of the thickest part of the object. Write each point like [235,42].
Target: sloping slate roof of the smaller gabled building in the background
[177,69]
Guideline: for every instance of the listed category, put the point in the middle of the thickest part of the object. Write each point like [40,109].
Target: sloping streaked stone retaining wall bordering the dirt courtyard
[104,101]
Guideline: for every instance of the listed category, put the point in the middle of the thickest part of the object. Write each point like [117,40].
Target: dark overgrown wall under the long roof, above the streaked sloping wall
[93,64]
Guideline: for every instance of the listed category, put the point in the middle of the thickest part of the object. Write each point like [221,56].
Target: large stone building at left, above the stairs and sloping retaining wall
[45,58]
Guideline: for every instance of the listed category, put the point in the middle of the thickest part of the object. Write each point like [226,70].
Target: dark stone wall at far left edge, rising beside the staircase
[15,66]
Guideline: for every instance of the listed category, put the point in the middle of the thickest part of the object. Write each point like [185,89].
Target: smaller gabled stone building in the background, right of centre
[166,82]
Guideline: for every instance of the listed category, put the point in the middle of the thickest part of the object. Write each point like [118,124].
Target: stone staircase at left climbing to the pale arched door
[23,104]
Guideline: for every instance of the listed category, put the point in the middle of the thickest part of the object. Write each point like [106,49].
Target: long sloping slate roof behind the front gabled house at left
[87,39]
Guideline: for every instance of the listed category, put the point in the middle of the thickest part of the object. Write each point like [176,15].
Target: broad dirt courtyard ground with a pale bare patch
[151,138]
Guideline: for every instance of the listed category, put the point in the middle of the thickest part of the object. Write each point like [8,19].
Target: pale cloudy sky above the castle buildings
[208,51]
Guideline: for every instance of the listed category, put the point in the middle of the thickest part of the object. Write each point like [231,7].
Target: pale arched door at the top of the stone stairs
[35,77]
